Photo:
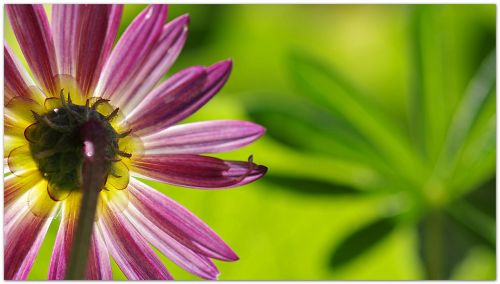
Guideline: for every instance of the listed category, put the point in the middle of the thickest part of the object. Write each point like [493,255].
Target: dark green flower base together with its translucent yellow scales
[57,146]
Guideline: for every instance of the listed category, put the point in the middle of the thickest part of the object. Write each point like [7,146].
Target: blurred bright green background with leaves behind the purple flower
[380,142]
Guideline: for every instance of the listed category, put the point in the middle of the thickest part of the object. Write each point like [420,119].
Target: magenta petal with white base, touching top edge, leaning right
[130,51]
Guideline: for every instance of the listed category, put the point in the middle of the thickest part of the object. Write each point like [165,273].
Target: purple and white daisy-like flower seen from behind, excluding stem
[78,78]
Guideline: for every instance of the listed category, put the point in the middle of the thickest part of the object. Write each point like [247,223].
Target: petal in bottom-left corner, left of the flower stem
[22,242]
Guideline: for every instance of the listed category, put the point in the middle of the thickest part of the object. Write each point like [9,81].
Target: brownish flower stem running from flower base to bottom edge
[94,174]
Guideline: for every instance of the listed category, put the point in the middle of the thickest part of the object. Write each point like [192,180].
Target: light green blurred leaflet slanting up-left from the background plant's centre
[327,88]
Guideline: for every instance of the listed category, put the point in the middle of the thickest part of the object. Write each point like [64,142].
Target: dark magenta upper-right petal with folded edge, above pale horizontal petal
[174,102]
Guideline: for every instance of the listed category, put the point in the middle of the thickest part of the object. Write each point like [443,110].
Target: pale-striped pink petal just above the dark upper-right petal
[155,64]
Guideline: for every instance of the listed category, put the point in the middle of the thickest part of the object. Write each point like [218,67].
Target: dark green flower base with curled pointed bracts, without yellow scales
[57,146]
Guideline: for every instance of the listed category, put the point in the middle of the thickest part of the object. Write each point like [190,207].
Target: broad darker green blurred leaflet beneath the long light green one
[297,123]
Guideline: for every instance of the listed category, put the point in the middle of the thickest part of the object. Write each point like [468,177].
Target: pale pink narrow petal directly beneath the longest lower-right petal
[189,260]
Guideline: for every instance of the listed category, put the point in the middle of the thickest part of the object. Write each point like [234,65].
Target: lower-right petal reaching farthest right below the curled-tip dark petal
[178,222]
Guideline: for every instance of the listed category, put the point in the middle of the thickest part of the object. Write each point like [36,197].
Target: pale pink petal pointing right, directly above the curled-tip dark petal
[203,137]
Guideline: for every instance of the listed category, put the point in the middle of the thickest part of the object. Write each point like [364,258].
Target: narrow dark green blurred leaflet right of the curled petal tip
[309,186]
